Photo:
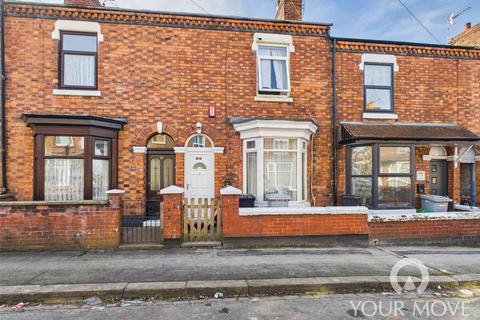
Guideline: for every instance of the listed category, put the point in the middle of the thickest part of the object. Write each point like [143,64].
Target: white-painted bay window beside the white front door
[275,158]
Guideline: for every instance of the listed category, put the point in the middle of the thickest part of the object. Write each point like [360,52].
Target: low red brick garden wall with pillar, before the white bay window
[283,225]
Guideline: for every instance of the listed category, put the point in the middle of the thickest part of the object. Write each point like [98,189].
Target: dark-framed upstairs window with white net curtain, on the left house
[78,61]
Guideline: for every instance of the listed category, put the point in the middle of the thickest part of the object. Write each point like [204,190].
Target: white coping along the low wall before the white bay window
[301,211]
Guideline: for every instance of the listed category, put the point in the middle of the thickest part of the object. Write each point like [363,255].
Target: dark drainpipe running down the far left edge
[3,78]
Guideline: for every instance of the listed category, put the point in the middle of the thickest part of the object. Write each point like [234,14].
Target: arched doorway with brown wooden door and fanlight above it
[160,170]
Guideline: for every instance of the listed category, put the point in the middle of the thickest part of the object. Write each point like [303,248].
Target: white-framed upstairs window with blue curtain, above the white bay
[273,69]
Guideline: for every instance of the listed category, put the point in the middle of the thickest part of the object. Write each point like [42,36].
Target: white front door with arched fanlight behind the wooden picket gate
[199,167]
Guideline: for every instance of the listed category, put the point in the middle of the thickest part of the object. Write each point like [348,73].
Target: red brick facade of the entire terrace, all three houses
[152,67]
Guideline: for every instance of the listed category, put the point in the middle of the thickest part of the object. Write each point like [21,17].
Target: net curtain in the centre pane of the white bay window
[281,173]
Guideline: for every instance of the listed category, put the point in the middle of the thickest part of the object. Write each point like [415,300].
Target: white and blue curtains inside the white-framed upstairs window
[274,72]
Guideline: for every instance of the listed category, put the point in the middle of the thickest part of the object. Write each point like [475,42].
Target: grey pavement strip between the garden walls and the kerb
[221,264]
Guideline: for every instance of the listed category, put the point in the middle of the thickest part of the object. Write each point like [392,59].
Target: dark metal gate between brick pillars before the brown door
[138,227]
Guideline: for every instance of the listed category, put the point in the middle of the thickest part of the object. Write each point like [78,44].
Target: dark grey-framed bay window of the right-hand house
[381,175]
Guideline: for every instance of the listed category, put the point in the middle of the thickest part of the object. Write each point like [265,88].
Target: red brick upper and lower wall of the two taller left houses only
[155,73]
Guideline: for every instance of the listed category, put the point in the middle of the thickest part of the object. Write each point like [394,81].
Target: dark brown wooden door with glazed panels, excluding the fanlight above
[160,174]
